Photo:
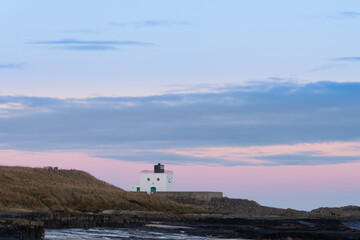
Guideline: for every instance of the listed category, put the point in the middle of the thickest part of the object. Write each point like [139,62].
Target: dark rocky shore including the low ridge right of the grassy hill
[240,218]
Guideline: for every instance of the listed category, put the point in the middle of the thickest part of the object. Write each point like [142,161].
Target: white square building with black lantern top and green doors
[158,180]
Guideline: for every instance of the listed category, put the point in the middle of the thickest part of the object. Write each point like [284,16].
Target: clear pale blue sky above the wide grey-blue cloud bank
[135,48]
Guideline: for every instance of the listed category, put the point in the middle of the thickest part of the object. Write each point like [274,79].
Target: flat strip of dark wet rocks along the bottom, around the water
[32,225]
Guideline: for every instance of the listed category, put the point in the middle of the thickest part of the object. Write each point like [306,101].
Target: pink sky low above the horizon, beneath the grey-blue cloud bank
[300,187]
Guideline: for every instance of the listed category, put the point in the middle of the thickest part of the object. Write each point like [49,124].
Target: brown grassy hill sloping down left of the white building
[36,189]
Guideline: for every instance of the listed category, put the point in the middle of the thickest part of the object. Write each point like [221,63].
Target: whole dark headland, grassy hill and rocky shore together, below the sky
[33,199]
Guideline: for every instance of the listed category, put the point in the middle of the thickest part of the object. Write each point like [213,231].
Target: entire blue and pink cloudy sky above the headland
[257,99]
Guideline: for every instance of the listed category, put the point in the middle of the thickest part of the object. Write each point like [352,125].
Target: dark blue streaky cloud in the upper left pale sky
[74,44]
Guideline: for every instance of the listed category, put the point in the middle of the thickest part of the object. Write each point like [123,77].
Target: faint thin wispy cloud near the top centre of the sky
[150,23]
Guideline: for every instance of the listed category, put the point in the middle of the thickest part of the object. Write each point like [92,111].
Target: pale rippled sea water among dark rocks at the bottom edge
[119,233]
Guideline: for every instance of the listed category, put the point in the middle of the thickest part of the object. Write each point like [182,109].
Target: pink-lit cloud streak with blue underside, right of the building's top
[295,154]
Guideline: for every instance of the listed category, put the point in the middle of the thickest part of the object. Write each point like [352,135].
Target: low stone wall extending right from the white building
[201,196]
